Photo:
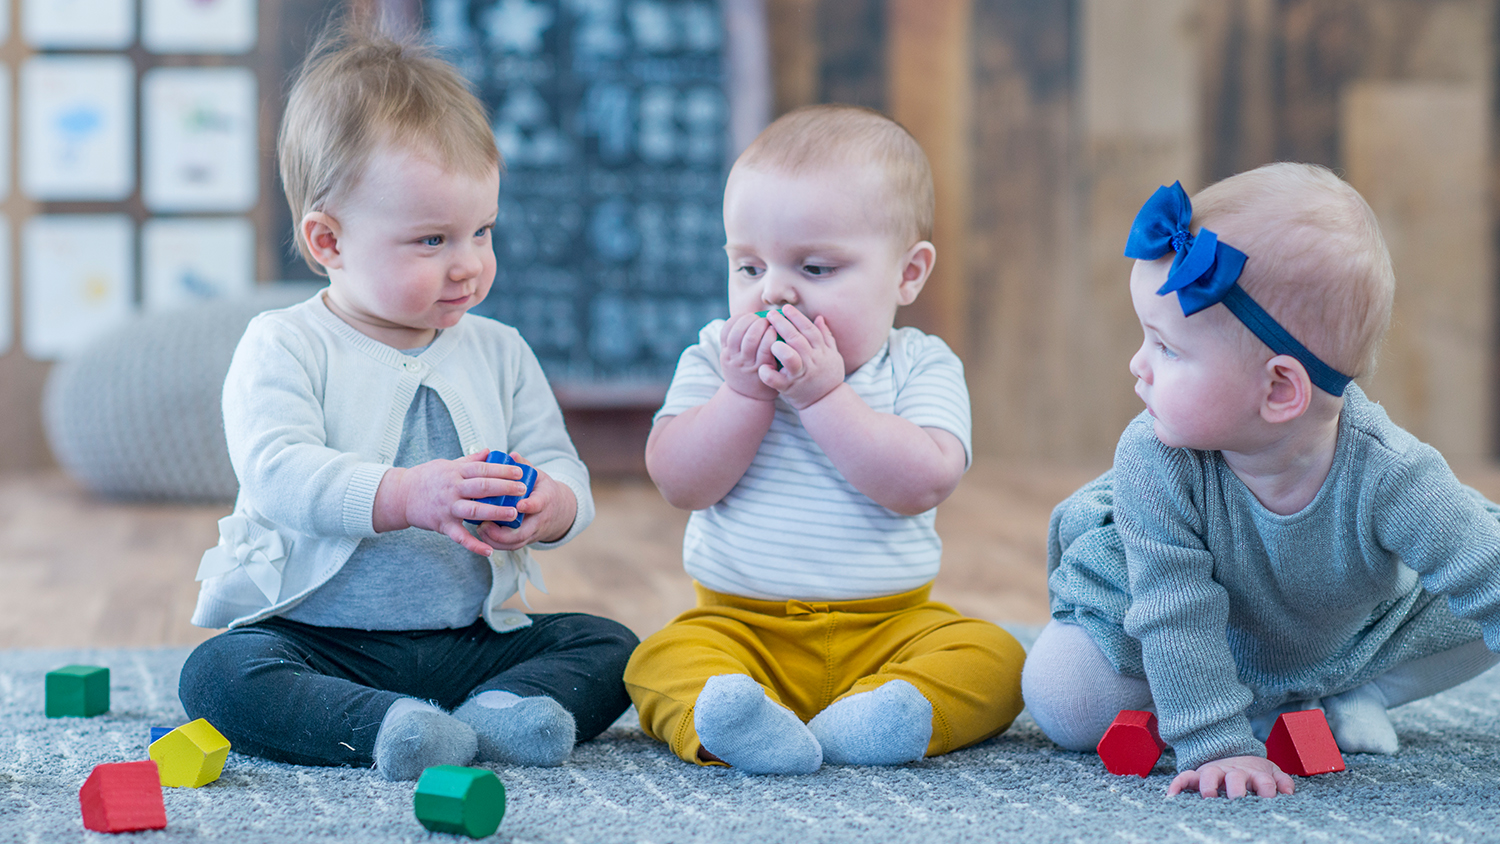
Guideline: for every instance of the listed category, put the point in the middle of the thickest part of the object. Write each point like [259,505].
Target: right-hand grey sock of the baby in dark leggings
[520,731]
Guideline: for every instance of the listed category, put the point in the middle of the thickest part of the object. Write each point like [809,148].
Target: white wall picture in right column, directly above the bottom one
[199,140]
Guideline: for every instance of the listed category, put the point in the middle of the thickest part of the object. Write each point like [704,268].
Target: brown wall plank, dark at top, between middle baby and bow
[1022,238]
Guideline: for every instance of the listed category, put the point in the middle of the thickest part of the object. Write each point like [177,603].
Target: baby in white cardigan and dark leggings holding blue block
[365,614]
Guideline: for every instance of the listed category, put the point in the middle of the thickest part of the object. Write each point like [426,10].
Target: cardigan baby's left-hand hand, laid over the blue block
[440,495]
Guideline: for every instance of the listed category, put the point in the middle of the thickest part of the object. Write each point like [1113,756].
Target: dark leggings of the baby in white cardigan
[307,695]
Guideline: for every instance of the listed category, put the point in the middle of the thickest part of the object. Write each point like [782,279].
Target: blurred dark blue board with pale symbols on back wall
[613,121]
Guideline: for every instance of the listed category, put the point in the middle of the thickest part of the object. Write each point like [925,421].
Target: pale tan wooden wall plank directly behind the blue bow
[1139,130]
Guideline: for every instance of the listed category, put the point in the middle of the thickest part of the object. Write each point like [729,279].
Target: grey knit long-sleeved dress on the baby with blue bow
[1180,575]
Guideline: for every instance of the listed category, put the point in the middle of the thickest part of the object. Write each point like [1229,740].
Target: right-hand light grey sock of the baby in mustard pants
[890,725]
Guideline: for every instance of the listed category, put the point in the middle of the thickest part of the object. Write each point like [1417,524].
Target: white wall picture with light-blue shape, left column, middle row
[77,128]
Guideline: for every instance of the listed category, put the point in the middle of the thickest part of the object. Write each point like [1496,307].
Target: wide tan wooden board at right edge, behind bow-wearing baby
[1414,151]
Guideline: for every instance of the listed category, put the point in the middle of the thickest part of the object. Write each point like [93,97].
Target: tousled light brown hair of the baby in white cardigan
[361,91]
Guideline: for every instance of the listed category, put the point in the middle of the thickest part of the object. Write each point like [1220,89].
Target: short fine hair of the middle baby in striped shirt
[820,137]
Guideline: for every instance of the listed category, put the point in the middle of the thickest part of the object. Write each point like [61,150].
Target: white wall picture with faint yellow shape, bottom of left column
[79,277]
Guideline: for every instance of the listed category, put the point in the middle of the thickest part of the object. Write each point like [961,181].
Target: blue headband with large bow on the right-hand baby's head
[1207,274]
